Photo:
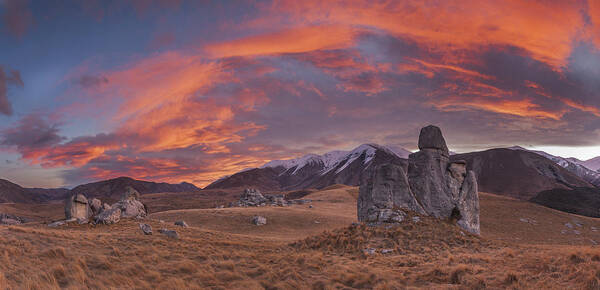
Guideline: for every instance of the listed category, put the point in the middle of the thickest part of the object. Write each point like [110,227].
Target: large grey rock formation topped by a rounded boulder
[431,184]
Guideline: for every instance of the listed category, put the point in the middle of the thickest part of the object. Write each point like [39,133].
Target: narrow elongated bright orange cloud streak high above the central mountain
[294,40]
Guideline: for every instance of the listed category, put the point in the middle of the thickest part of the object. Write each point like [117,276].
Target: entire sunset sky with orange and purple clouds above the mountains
[194,90]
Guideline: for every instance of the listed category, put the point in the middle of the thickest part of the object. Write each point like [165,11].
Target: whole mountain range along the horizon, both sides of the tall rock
[566,184]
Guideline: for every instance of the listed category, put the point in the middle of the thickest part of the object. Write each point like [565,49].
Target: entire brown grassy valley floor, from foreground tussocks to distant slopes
[522,246]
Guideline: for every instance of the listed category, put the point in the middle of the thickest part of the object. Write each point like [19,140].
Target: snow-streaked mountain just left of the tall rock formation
[315,171]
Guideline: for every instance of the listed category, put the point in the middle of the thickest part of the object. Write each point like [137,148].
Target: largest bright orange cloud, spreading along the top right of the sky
[545,29]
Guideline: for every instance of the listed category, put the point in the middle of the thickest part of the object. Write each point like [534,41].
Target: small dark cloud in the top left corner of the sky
[17,17]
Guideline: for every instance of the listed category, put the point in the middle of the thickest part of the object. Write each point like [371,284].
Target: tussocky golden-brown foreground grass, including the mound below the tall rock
[428,254]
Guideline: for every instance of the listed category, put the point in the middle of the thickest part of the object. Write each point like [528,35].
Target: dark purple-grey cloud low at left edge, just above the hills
[32,132]
